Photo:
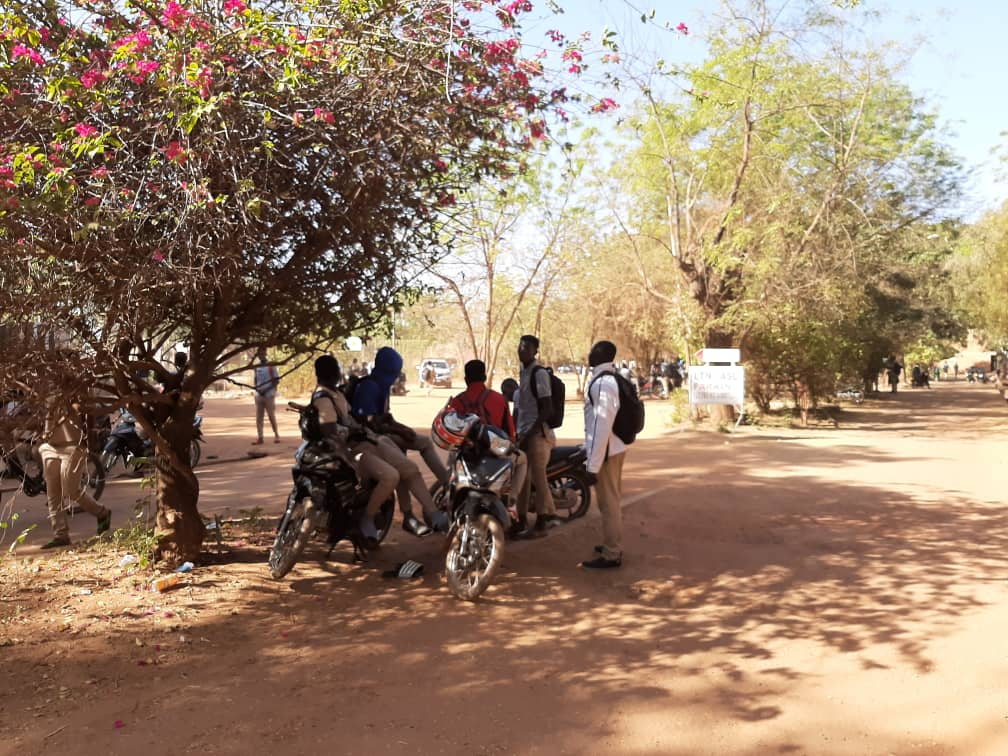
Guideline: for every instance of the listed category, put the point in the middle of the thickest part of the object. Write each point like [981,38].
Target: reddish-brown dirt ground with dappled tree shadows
[827,591]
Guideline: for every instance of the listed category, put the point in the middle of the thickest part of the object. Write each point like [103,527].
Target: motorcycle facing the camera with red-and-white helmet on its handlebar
[481,466]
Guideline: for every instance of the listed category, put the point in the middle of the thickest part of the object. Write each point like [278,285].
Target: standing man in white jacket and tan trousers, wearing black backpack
[605,453]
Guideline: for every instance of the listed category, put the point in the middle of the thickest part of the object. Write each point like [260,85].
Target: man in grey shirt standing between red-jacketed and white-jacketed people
[533,406]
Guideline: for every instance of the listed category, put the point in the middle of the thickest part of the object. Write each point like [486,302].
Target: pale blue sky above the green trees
[959,64]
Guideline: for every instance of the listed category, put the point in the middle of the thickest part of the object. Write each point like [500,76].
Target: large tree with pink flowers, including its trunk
[234,175]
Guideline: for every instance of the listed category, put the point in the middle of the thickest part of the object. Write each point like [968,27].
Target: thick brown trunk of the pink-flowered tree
[180,528]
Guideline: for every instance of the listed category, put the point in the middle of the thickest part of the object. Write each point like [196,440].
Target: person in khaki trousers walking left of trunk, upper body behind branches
[65,459]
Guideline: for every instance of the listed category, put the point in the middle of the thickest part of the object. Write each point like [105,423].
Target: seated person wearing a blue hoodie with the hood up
[370,405]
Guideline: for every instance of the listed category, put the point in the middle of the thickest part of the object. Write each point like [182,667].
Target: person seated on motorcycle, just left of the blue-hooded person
[338,426]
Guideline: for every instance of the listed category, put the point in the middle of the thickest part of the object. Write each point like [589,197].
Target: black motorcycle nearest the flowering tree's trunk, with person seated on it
[325,484]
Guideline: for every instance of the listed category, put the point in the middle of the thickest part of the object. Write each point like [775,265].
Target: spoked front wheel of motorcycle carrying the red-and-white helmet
[471,568]
